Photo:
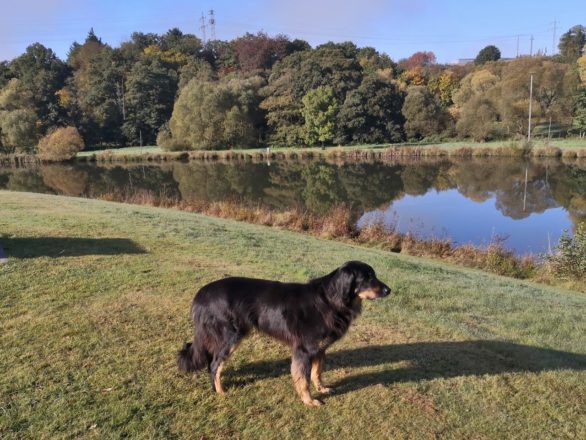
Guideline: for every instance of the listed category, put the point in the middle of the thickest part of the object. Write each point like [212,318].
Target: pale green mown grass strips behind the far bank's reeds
[561,143]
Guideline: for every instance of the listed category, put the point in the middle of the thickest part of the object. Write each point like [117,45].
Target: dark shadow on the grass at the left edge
[33,247]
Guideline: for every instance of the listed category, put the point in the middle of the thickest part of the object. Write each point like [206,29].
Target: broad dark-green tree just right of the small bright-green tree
[372,113]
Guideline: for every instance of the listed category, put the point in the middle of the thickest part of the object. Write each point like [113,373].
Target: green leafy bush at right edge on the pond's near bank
[569,260]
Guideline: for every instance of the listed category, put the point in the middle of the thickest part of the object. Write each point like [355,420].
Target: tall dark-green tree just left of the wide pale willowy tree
[149,97]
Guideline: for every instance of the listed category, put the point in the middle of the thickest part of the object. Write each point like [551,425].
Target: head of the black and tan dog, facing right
[354,280]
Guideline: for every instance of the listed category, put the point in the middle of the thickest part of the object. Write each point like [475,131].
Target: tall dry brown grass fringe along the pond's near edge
[339,223]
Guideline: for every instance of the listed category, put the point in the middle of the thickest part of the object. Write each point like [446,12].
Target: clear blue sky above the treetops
[451,29]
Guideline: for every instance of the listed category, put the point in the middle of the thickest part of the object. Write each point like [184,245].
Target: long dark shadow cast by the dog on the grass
[424,361]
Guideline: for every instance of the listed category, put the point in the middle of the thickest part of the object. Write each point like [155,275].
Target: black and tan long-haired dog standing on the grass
[308,317]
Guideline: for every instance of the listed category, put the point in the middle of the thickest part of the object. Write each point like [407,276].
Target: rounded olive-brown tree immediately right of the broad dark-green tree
[423,114]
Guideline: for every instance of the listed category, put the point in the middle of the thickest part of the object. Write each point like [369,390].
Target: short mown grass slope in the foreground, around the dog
[95,300]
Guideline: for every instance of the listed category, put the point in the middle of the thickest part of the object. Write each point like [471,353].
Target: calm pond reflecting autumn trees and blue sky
[526,203]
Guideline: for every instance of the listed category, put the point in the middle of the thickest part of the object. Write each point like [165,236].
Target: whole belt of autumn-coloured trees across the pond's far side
[180,93]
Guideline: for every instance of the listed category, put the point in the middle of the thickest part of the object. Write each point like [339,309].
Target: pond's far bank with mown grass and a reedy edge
[567,148]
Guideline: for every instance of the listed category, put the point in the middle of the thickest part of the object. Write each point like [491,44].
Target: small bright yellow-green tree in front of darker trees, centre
[319,112]
